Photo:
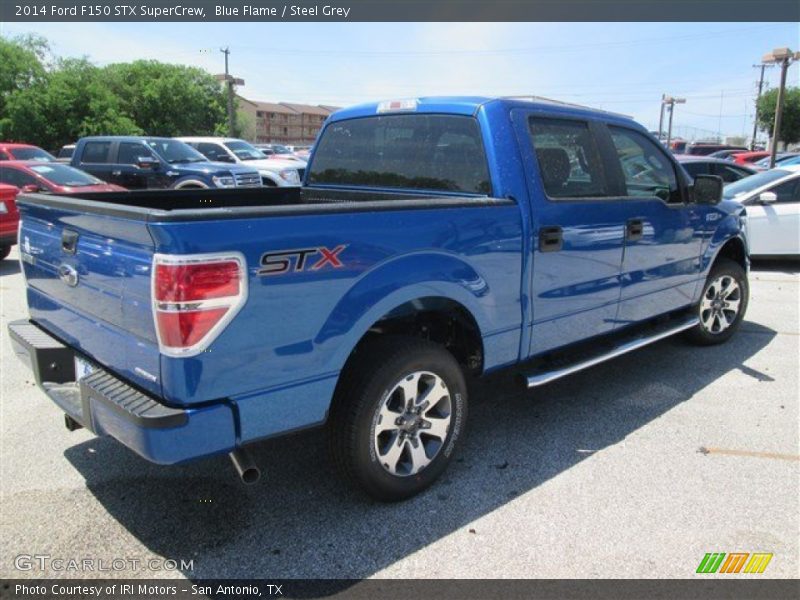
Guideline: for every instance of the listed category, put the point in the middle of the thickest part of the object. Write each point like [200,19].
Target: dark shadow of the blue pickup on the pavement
[300,521]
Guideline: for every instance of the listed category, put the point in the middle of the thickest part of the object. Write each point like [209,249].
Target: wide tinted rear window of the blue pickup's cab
[424,152]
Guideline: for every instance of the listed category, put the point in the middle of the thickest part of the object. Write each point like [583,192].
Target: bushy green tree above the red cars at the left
[71,102]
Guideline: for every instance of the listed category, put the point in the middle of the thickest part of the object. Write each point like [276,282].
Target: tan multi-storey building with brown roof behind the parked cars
[283,122]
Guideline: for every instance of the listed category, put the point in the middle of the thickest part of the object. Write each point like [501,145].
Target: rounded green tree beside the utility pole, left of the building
[168,100]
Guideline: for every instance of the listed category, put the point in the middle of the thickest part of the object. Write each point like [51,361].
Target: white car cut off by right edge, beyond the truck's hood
[772,199]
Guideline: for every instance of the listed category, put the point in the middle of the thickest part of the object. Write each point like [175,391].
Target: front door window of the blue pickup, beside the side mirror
[646,169]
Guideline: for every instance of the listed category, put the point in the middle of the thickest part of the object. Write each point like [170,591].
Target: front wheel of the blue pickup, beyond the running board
[722,305]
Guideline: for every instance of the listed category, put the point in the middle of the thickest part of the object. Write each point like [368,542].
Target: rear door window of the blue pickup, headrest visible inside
[569,161]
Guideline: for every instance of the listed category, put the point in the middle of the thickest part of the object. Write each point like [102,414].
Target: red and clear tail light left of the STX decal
[194,298]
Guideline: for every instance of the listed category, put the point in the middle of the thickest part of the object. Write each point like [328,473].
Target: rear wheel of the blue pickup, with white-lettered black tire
[397,417]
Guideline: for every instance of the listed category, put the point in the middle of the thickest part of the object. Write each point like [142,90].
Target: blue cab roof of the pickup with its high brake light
[468,105]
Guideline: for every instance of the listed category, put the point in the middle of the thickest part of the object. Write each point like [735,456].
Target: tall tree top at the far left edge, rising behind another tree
[21,65]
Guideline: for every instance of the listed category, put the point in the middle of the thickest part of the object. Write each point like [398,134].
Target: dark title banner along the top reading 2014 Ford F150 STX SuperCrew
[398,10]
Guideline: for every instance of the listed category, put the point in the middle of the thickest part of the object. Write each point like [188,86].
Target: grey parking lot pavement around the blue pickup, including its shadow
[637,467]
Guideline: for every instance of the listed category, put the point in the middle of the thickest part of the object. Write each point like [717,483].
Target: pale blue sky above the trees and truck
[621,67]
